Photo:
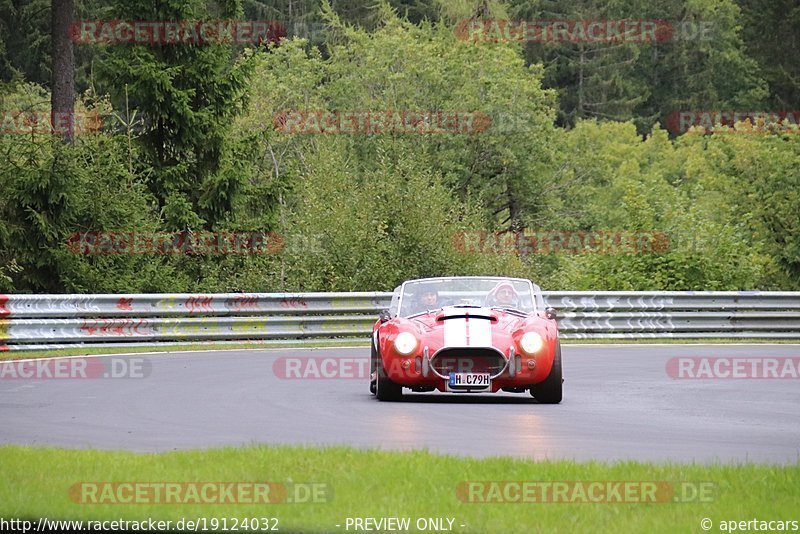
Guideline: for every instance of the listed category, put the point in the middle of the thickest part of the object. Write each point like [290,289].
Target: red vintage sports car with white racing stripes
[467,335]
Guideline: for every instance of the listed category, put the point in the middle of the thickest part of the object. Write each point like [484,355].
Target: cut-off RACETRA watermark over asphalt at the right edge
[734,367]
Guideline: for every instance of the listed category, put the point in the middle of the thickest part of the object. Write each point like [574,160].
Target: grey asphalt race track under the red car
[619,403]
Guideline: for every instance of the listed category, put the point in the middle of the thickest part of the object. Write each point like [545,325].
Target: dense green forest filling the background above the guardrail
[480,140]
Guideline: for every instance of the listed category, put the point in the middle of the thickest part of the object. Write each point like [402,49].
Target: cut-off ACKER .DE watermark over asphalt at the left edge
[75,368]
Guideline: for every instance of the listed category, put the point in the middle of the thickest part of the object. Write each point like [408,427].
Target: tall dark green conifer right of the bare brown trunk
[189,95]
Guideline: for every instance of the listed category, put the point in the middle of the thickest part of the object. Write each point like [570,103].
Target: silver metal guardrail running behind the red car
[31,322]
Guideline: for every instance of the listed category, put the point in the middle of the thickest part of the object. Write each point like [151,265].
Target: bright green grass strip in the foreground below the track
[370,483]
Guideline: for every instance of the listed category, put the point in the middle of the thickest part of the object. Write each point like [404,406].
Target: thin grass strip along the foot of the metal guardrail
[81,351]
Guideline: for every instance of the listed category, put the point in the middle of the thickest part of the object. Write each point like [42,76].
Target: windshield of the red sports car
[419,296]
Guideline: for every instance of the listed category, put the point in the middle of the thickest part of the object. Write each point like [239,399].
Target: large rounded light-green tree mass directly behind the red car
[371,209]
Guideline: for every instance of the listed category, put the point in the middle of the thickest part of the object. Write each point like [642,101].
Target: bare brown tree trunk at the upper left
[62,100]
